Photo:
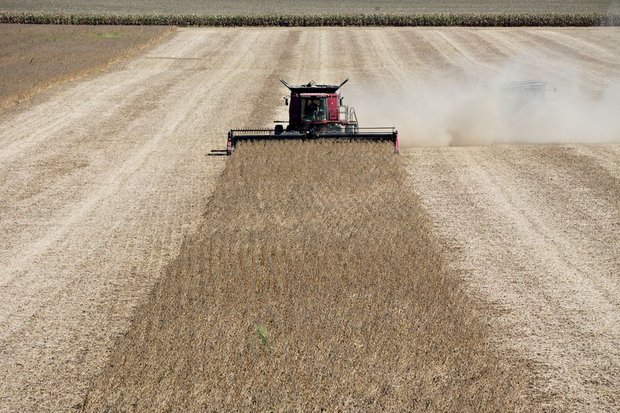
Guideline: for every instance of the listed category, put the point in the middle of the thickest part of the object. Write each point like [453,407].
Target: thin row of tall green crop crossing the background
[472,20]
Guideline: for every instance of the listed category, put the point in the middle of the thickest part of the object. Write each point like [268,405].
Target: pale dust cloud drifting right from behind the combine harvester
[512,106]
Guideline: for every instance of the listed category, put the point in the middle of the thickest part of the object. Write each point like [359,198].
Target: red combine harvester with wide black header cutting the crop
[315,112]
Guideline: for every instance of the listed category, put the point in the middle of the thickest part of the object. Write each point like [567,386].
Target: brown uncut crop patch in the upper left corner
[33,57]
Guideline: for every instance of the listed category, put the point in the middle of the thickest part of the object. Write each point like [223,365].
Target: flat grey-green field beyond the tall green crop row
[304,8]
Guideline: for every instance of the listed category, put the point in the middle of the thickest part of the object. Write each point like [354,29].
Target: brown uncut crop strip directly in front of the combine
[314,283]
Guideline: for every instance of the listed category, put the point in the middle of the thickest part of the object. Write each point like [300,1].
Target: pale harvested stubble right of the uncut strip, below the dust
[533,231]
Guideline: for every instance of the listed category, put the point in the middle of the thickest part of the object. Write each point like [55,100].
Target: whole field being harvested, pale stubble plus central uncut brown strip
[141,273]
